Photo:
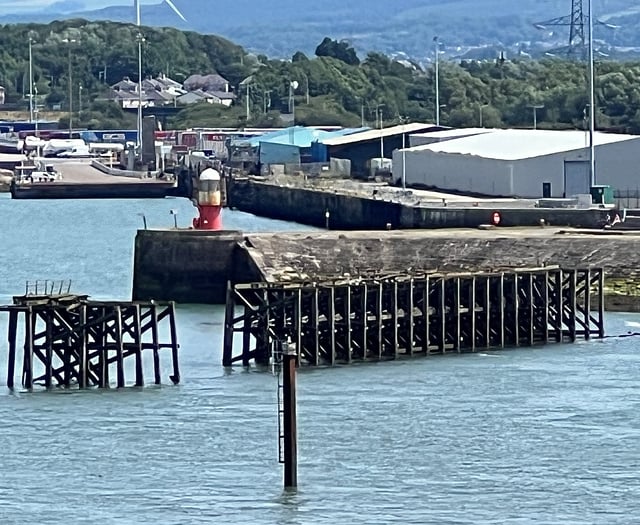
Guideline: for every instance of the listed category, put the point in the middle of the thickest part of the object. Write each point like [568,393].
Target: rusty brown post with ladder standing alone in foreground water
[289,359]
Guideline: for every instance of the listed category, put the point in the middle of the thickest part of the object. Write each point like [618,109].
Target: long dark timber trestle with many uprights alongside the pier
[380,318]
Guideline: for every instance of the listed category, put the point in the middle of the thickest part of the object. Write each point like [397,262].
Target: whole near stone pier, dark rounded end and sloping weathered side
[190,266]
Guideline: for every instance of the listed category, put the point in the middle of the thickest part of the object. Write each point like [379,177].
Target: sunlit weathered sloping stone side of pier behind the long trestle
[309,256]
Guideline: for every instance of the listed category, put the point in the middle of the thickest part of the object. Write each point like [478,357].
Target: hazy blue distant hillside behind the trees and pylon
[465,27]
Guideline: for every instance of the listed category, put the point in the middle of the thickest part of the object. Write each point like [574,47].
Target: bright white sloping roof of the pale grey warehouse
[516,144]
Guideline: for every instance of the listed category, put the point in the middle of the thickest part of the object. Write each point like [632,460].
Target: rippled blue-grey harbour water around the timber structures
[550,435]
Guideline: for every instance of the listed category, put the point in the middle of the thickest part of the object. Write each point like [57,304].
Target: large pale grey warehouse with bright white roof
[523,163]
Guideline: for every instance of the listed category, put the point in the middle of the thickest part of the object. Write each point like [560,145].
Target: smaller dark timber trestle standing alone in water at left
[72,341]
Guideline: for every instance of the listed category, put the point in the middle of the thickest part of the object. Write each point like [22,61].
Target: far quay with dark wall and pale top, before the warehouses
[346,205]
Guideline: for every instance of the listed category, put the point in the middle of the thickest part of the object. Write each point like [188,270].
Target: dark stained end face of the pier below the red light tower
[187,266]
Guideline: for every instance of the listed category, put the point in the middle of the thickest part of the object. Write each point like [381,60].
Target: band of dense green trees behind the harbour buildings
[333,87]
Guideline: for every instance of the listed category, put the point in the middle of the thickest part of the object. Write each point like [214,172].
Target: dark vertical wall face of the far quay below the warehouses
[353,212]
